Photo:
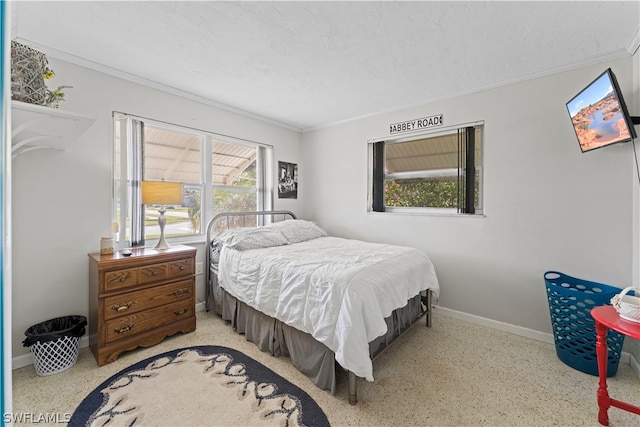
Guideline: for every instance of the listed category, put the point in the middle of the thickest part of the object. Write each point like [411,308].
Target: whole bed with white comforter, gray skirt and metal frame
[323,301]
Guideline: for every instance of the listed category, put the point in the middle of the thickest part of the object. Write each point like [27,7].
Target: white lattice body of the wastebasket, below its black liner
[55,356]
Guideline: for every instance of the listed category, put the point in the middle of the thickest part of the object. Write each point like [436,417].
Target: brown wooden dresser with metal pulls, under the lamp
[137,301]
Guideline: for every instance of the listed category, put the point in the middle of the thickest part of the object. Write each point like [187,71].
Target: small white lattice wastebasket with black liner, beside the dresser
[54,343]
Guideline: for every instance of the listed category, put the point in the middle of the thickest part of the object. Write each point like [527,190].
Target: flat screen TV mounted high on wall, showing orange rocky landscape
[599,114]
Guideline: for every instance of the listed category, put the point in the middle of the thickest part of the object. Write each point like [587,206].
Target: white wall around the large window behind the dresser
[62,200]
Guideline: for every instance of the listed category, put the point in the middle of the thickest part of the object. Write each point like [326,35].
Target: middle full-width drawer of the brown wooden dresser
[133,302]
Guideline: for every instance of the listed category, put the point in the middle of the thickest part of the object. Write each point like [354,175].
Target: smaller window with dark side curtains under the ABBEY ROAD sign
[428,172]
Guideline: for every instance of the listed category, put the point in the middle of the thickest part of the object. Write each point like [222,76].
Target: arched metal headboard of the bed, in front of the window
[228,220]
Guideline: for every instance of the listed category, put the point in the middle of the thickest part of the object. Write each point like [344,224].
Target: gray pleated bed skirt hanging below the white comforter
[309,356]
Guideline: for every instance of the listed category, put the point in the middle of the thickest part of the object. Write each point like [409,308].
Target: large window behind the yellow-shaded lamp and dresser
[218,174]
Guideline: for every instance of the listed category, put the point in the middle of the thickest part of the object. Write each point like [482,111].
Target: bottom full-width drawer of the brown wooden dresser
[136,323]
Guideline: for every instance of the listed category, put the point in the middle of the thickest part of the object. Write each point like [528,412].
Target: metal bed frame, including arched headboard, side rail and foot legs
[427,299]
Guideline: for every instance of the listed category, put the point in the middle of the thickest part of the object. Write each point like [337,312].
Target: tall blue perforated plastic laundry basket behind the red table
[574,331]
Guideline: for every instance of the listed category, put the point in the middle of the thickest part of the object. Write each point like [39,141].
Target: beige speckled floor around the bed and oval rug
[453,374]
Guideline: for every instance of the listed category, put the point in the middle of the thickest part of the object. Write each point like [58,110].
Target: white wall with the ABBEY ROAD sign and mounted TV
[547,206]
